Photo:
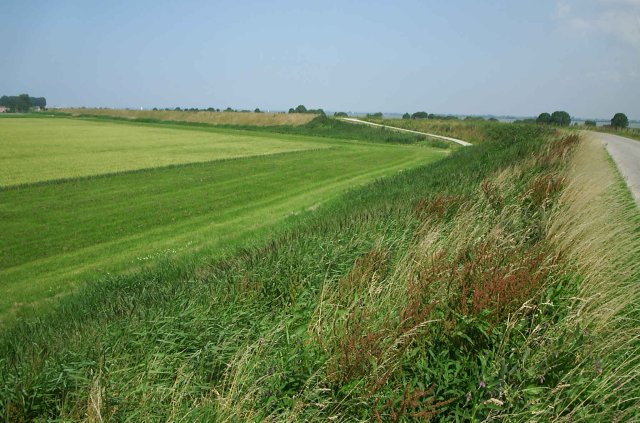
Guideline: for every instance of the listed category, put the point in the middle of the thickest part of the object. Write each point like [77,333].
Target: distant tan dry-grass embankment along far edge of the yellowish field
[214,118]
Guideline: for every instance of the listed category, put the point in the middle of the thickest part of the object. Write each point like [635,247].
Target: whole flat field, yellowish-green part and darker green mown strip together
[58,234]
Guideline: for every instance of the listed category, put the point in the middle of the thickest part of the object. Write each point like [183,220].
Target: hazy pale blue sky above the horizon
[516,57]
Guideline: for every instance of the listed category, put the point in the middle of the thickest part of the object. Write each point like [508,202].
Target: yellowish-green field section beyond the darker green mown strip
[37,149]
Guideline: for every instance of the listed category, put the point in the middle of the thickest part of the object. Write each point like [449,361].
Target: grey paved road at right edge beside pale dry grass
[626,154]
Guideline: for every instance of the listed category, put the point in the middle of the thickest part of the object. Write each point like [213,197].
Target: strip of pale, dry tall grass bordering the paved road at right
[597,230]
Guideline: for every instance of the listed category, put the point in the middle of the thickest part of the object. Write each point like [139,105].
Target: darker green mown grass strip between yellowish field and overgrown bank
[58,234]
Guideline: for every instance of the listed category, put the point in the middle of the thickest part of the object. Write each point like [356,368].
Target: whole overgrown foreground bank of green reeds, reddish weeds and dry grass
[479,286]
